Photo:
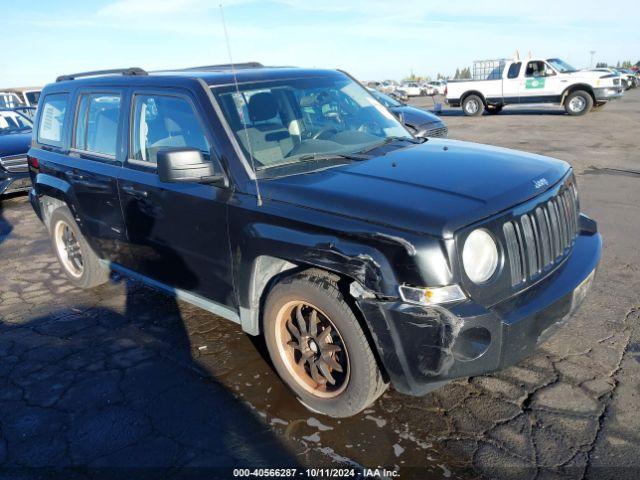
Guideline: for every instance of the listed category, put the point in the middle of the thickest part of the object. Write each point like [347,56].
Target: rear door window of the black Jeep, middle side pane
[97,124]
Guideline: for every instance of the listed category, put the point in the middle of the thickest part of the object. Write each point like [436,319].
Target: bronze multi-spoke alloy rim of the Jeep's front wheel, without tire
[312,349]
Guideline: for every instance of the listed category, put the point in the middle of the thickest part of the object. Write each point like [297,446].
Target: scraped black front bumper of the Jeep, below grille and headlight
[423,347]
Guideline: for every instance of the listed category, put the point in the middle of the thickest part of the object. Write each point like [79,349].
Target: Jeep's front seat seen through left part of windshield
[267,138]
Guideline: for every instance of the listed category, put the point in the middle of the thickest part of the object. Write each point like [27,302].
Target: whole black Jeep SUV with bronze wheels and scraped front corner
[292,202]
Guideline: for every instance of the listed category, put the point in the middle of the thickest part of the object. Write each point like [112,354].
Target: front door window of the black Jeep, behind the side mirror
[161,122]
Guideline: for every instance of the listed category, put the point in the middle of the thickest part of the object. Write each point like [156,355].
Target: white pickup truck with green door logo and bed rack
[518,82]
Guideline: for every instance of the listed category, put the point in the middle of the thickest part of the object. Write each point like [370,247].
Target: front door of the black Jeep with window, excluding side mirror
[177,232]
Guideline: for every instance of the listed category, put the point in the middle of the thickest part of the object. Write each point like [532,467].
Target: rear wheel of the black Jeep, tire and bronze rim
[91,273]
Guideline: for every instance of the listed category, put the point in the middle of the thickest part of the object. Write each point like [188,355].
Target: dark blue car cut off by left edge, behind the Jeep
[15,140]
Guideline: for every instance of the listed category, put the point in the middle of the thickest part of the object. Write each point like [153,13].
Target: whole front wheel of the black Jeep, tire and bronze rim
[318,347]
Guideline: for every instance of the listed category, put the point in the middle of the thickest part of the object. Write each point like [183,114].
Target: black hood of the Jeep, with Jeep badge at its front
[435,188]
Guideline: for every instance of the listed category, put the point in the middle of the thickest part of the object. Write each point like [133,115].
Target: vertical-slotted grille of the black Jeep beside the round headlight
[538,239]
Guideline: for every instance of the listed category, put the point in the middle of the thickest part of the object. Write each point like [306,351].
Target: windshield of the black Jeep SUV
[289,121]
